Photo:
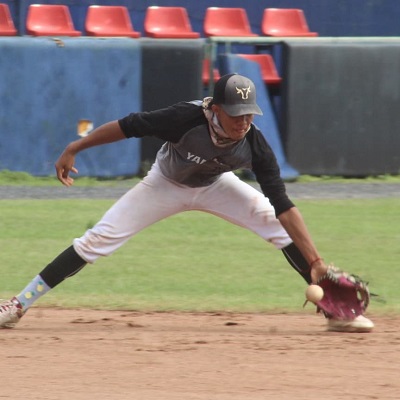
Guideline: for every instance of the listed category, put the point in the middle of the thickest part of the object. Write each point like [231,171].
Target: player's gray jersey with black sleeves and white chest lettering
[189,157]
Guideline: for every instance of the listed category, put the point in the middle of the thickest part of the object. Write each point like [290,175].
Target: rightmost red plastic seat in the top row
[285,22]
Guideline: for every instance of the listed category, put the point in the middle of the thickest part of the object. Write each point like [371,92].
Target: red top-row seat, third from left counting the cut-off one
[109,21]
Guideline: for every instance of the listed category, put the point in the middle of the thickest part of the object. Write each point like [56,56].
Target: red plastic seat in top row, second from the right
[220,21]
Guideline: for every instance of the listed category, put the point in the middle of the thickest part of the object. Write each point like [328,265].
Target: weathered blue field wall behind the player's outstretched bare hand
[48,86]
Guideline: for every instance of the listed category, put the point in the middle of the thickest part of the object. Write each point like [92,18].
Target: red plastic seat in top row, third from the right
[168,22]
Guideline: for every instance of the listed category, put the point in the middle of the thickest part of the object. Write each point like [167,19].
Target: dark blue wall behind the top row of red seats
[327,17]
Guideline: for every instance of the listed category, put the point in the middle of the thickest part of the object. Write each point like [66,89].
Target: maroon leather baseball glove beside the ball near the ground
[346,296]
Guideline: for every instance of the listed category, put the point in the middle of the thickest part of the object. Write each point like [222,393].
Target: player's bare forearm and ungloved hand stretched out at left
[107,133]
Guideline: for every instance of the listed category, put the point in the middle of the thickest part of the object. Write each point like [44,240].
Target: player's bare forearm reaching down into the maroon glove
[294,224]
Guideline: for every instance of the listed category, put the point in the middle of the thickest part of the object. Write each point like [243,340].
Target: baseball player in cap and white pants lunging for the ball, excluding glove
[205,140]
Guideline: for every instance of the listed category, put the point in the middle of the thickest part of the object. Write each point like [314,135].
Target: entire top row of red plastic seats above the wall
[160,22]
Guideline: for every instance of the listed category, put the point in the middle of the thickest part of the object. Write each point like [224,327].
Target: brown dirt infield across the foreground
[84,354]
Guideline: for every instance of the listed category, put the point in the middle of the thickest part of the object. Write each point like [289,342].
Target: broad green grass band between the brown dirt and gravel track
[197,262]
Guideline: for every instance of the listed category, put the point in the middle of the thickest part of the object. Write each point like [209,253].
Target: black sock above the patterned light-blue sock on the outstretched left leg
[68,263]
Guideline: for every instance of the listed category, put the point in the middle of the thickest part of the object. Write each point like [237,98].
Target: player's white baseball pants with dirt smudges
[157,197]
